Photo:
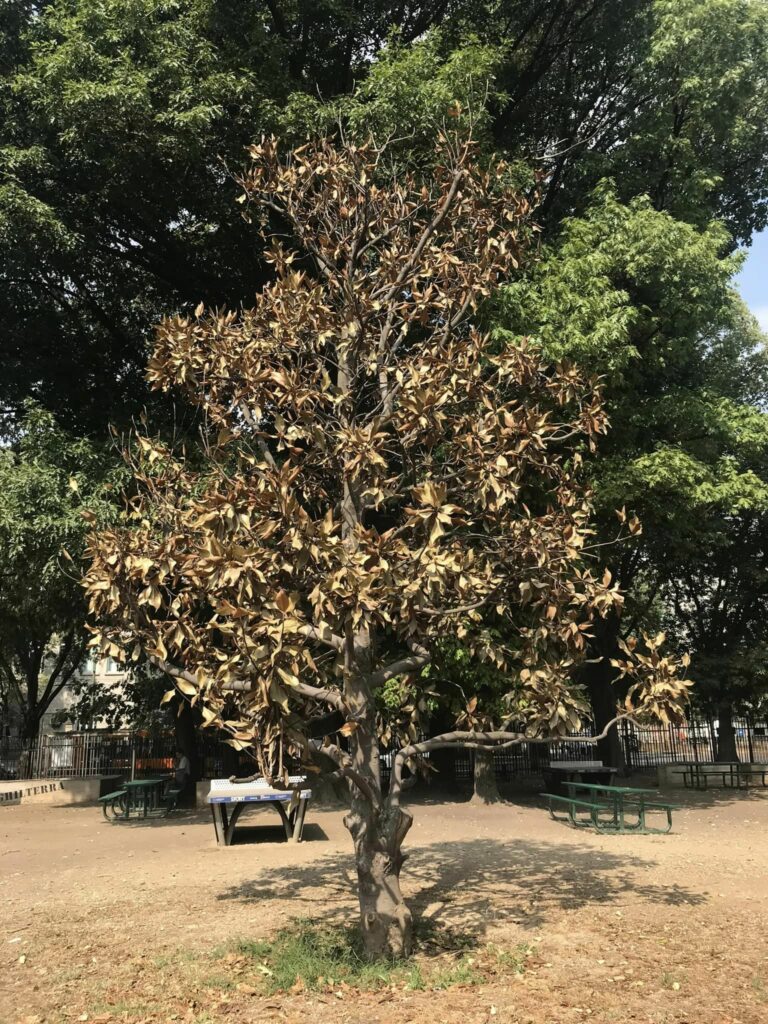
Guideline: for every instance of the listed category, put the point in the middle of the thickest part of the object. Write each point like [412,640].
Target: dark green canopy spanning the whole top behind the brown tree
[119,117]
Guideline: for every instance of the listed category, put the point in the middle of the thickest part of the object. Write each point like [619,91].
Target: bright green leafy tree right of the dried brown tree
[648,302]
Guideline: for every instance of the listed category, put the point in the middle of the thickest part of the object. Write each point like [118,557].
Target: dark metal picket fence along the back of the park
[138,755]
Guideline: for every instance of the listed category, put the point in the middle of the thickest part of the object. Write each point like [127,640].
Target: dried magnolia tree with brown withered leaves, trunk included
[377,476]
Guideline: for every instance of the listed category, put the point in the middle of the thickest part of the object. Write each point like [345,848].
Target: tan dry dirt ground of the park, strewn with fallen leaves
[119,922]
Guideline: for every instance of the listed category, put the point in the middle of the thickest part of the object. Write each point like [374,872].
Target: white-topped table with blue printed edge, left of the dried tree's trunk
[228,798]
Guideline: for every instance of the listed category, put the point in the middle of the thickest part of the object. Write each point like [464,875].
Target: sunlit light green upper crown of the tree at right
[621,284]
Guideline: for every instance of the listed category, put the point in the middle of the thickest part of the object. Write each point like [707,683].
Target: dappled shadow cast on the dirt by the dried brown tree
[472,884]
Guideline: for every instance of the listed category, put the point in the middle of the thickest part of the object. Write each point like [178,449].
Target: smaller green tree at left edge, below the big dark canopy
[49,481]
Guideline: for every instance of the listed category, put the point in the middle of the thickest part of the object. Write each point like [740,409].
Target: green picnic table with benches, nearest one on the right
[611,808]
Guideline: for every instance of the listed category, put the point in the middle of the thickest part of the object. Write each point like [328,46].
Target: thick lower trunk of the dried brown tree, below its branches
[387,923]
